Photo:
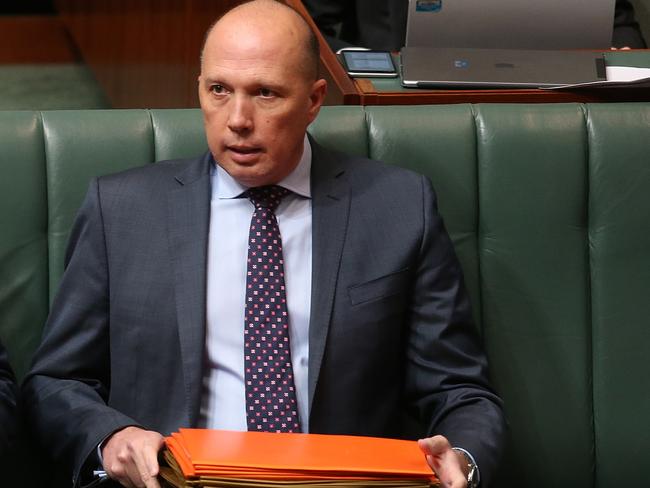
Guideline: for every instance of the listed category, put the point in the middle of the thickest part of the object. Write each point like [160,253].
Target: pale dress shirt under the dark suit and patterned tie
[223,402]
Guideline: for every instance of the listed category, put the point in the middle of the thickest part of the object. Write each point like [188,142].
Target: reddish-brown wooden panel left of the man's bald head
[144,53]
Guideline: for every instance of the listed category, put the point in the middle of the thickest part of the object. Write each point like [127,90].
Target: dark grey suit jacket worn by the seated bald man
[392,348]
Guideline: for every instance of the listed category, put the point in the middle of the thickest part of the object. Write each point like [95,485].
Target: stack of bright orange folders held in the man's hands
[201,457]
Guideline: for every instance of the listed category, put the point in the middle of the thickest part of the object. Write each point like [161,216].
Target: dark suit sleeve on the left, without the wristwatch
[66,391]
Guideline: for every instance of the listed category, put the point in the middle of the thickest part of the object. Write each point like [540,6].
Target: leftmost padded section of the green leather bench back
[23,236]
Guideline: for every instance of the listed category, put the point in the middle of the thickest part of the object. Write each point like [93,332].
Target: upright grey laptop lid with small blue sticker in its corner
[511,24]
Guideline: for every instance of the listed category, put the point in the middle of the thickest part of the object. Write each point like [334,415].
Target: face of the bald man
[257,100]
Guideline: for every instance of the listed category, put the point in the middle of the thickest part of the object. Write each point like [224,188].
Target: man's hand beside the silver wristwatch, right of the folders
[449,465]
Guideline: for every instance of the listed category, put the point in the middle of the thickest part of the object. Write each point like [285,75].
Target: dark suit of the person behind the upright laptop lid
[381,24]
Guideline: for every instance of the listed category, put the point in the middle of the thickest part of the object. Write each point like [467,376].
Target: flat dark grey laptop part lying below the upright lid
[423,67]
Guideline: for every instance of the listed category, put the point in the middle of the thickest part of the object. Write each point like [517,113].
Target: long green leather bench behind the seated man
[549,210]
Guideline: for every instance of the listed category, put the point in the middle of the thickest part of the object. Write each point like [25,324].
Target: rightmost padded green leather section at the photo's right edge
[619,246]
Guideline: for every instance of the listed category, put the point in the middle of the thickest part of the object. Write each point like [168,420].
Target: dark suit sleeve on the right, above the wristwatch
[447,376]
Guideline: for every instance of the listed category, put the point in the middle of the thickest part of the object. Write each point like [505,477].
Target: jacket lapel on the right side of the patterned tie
[330,208]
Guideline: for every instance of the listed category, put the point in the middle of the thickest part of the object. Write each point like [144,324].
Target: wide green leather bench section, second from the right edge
[533,249]
